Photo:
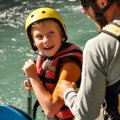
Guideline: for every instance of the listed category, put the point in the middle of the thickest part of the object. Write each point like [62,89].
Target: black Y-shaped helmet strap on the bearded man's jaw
[99,13]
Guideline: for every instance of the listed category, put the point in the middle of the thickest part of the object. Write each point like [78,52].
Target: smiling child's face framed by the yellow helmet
[47,37]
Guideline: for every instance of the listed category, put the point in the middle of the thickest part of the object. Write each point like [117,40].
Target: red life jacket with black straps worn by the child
[49,68]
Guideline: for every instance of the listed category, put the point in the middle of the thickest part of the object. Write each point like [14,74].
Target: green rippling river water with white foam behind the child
[14,47]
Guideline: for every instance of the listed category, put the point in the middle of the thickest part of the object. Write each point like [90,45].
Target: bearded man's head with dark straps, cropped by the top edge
[100,10]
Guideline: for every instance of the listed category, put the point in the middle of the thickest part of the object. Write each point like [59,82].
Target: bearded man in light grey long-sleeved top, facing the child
[101,66]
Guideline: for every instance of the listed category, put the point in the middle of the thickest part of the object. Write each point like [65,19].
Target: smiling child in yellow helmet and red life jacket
[57,60]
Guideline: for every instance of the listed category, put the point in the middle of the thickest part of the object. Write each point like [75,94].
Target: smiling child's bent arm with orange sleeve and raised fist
[50,104]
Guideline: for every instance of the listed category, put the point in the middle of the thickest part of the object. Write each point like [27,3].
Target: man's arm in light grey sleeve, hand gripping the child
[86,103]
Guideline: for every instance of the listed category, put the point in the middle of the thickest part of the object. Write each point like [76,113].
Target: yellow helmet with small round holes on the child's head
[42,14]
